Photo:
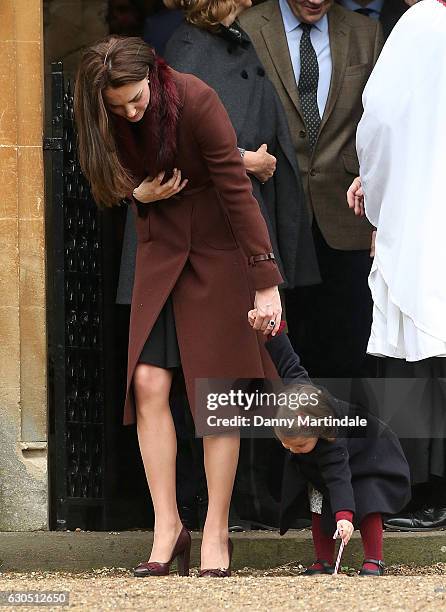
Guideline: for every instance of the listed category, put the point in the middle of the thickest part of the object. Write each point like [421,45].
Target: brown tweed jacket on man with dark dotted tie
[328,169]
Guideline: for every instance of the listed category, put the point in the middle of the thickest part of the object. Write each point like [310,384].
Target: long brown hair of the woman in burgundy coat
[112,62]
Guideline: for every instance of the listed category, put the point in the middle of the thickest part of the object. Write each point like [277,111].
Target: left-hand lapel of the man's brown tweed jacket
[276,42]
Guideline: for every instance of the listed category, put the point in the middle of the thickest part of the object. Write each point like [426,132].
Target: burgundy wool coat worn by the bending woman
[208,247]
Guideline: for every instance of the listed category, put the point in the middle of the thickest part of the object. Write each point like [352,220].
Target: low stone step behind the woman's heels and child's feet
[81,551]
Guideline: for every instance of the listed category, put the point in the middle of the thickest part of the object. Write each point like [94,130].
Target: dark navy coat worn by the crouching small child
[363,470]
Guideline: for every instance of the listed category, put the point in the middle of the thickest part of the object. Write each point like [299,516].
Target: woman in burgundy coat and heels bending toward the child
[164,140]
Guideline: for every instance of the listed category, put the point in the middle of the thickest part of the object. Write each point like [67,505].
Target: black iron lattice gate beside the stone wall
[76,328]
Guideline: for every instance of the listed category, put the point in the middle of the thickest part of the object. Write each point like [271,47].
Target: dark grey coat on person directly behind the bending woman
[235,72]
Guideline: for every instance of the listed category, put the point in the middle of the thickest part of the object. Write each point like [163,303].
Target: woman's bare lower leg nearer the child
[220,462]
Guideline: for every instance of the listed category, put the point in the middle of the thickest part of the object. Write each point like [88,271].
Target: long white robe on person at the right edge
[401,143]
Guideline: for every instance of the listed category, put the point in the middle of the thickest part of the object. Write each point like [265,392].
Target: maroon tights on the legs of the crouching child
[371,534]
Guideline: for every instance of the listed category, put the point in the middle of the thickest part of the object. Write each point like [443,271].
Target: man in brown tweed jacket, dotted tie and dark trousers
[319,57]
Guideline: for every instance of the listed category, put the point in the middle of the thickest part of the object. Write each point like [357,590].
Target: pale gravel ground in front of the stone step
[404,588]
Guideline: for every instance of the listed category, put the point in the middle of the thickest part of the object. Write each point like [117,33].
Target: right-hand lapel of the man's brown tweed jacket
[339,33]
